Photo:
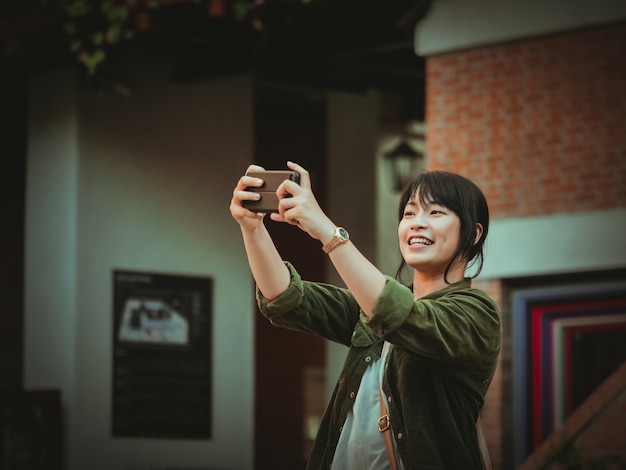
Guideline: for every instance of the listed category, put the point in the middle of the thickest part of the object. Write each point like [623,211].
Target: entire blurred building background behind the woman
[124,128]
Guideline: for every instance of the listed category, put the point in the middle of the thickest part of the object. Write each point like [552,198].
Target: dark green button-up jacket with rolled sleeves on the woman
[444,355]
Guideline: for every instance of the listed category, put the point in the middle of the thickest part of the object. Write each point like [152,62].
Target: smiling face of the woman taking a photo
[428,236]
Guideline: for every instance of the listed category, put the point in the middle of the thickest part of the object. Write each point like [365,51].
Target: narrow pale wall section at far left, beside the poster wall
[51,234]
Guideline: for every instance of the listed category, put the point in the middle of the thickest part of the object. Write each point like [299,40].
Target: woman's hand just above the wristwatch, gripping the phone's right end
[298,206]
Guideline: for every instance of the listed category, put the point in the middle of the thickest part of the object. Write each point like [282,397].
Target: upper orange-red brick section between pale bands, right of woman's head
[559,98]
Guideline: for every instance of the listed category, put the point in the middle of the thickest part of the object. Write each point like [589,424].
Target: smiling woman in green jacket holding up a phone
[424,355]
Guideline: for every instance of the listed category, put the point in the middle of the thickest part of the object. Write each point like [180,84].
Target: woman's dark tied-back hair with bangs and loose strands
[465,199]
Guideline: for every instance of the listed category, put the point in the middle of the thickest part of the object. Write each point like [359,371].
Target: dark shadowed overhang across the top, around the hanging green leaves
[346,45]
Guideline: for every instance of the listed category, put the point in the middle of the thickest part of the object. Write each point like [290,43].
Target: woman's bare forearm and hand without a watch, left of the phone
[269,272]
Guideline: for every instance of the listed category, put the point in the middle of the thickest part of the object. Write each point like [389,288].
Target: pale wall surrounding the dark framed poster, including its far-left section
[139,183]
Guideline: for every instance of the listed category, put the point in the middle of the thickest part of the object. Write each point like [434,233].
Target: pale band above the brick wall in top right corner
[460,24]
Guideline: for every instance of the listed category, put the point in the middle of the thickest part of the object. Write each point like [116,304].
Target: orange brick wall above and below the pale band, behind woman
[540,125]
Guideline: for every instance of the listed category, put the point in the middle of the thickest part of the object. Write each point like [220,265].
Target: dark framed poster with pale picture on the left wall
[162,356]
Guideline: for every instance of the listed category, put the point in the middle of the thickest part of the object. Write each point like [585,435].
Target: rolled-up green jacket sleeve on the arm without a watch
[312,307]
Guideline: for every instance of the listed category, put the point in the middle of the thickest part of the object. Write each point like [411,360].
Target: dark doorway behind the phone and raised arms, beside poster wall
[289,125]
